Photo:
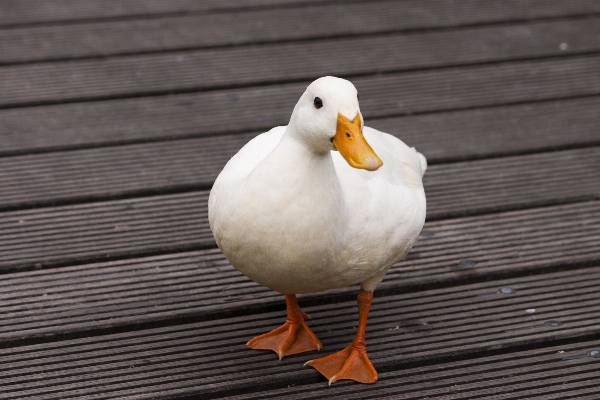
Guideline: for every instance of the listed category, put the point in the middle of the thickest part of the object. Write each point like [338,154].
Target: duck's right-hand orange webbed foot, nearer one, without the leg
[349,363]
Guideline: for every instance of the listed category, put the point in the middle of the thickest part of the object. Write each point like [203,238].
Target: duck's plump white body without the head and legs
[297,221]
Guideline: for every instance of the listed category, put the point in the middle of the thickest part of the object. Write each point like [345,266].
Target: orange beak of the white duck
[351,144]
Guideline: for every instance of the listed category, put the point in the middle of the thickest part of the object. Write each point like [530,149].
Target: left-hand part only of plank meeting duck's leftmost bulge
[70,234]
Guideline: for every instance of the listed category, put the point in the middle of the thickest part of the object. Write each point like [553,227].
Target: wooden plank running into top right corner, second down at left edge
[35,43]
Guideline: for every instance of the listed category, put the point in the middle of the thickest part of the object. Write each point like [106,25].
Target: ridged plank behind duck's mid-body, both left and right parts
[122,228]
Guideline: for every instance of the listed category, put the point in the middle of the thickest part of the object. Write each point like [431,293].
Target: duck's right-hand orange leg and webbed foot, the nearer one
[352,362]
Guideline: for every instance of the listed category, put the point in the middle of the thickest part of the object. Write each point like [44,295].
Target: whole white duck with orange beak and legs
[294,215]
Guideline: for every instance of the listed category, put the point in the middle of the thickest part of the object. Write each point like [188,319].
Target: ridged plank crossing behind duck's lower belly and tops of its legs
[203,285]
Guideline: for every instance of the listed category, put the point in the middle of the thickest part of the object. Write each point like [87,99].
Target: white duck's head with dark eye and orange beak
[327,117]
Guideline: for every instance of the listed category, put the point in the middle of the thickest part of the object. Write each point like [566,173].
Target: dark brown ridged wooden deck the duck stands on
[117,115]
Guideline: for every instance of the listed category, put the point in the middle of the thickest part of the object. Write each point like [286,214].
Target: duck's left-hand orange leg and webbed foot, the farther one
[293,337]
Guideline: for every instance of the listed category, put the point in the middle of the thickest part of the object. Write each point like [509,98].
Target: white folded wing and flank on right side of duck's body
[386,208]
